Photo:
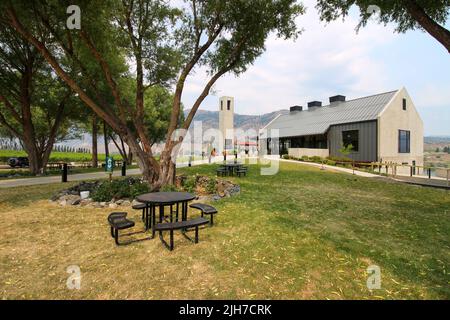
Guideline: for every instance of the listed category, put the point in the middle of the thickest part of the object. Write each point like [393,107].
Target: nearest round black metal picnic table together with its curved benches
[176,218]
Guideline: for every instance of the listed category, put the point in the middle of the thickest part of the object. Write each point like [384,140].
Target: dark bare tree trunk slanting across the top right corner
[437,31]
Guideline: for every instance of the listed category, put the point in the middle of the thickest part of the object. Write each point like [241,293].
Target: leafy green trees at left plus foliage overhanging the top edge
[125,70]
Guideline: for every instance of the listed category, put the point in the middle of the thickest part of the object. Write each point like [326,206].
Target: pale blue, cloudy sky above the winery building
[331,59]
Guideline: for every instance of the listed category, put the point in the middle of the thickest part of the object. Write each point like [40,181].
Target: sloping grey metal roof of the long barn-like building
[318,120]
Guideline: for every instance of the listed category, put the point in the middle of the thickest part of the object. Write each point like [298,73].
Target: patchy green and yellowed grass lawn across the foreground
[301,234]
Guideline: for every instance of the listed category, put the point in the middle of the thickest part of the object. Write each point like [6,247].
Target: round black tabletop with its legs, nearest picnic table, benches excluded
[164,199]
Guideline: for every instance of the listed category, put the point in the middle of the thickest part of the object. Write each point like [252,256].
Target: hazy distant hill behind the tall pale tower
[210,119]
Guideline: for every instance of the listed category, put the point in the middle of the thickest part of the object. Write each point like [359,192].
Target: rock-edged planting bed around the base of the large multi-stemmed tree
[121,192]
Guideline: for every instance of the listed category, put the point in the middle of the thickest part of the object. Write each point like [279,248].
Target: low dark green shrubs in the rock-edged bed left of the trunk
[119,189]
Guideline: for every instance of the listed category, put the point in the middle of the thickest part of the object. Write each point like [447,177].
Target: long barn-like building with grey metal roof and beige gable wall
[384,127]
